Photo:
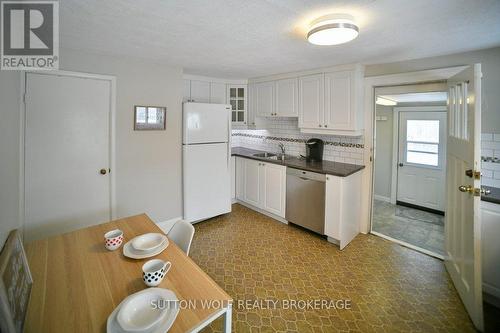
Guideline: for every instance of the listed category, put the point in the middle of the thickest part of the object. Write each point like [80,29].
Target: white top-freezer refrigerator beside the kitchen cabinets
[206,157]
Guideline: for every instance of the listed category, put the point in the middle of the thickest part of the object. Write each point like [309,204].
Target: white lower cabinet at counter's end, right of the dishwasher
[342,208]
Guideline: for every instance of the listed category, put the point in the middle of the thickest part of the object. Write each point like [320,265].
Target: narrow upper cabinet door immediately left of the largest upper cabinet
[287,98]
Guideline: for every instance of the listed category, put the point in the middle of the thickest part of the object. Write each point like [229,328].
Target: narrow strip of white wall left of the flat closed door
[9,152]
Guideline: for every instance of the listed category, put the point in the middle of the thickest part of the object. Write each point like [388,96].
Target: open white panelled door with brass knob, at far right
[463,217]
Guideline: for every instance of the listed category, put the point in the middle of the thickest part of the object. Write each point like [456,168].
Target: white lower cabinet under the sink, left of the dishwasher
[261,184]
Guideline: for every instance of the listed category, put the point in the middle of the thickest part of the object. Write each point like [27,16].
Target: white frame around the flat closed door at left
[22,135]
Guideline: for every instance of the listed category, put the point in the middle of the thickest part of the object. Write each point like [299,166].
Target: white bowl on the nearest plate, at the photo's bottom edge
[137,313]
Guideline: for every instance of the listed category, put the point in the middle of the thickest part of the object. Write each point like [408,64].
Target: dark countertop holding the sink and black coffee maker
[326,167]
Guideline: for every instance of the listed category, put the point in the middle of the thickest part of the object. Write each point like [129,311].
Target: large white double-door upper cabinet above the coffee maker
[331,102]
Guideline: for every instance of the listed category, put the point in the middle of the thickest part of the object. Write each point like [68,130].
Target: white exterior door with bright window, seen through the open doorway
[422,162]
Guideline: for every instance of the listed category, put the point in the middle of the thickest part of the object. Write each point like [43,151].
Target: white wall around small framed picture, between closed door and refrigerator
[148,163]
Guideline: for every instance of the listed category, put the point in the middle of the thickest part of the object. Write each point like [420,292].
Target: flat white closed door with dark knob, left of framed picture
[67,153]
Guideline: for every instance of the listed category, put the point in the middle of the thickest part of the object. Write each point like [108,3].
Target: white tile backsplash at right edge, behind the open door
[490,156]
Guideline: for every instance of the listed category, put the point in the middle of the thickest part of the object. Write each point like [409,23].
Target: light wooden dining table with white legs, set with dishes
[78,282]
